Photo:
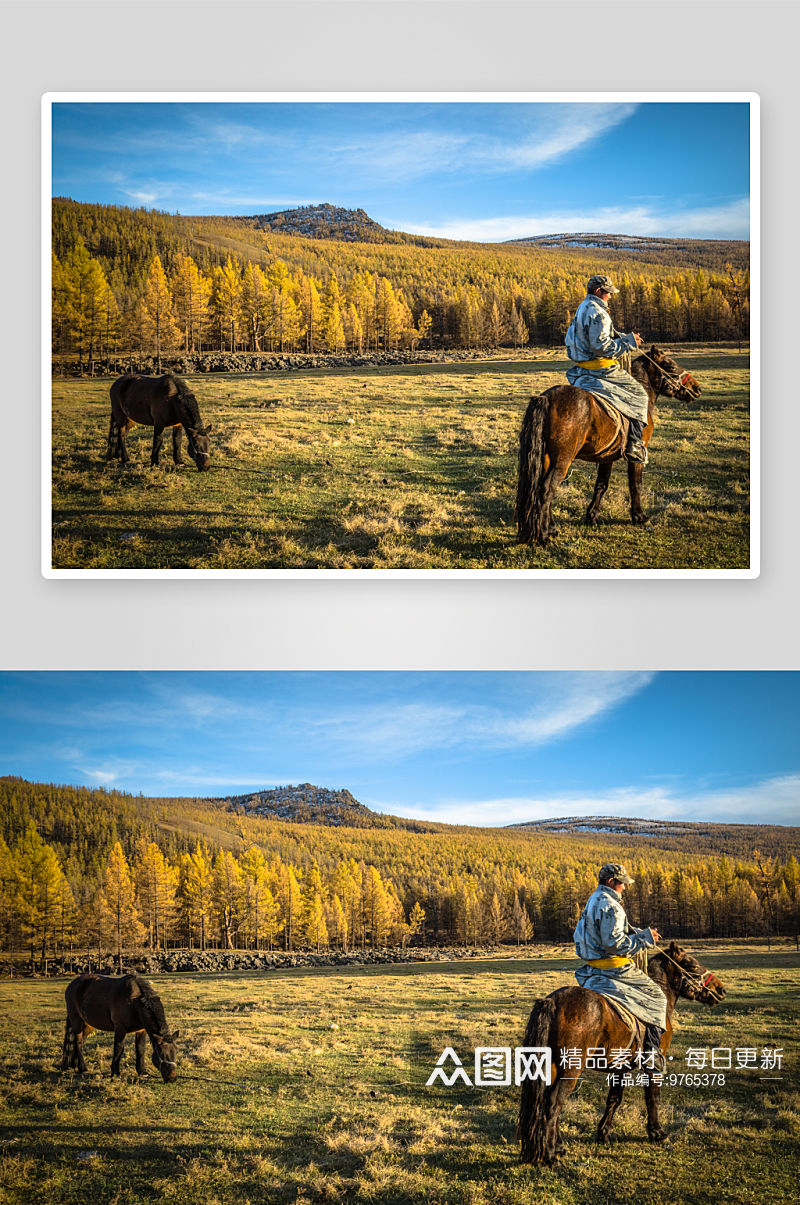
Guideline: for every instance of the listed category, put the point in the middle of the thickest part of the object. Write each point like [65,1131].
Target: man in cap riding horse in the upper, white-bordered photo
[593,345]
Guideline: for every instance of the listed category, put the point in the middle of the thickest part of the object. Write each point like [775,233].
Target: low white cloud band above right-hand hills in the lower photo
[770,802]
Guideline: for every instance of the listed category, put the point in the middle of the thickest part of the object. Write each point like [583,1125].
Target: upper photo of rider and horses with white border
[413,336]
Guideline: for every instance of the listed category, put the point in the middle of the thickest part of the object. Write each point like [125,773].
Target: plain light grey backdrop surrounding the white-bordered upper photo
[398,46]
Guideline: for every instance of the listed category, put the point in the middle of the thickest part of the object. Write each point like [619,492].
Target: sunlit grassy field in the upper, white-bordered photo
[401,468]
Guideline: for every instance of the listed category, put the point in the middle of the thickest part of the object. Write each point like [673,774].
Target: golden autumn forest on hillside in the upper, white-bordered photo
[131,284]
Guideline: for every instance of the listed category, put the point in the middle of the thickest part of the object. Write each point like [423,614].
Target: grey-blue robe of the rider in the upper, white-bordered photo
[592,337]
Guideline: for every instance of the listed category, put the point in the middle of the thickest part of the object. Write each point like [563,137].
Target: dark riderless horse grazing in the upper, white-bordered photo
[158,403]
